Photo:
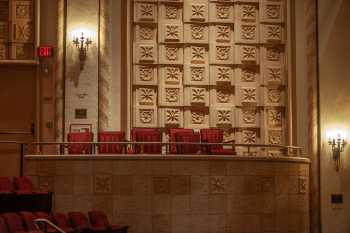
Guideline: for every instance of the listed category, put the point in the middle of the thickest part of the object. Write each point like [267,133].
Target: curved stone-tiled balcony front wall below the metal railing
[181,195]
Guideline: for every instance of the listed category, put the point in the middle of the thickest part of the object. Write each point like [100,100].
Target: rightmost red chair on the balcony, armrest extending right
[215,136]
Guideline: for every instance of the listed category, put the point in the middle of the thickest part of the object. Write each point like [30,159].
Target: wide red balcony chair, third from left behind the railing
[147,135]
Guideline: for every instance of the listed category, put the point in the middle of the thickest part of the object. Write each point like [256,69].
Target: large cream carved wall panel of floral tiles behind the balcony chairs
[207,63]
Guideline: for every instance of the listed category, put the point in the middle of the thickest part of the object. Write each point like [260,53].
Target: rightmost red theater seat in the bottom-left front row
[99,220]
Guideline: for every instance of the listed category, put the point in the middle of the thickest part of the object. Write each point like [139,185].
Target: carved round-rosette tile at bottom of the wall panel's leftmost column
[145,116]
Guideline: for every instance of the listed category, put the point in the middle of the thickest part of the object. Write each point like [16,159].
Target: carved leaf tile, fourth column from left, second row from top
[221,33]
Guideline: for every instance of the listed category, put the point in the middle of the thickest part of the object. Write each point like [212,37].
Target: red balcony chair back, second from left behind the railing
[113,136]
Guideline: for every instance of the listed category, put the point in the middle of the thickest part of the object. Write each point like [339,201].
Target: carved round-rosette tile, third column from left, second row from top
[196,33]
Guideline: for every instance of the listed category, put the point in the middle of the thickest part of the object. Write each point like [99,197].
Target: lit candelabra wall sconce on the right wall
[337,141]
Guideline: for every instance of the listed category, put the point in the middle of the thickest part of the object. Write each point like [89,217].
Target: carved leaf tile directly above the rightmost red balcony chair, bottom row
[221,117]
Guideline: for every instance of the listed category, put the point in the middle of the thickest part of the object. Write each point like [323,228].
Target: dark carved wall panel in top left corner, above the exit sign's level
[17,29]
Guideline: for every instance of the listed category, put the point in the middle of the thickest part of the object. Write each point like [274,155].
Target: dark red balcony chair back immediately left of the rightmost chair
[190,137]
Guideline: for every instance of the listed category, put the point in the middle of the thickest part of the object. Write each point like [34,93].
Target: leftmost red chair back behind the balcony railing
[80,137]
